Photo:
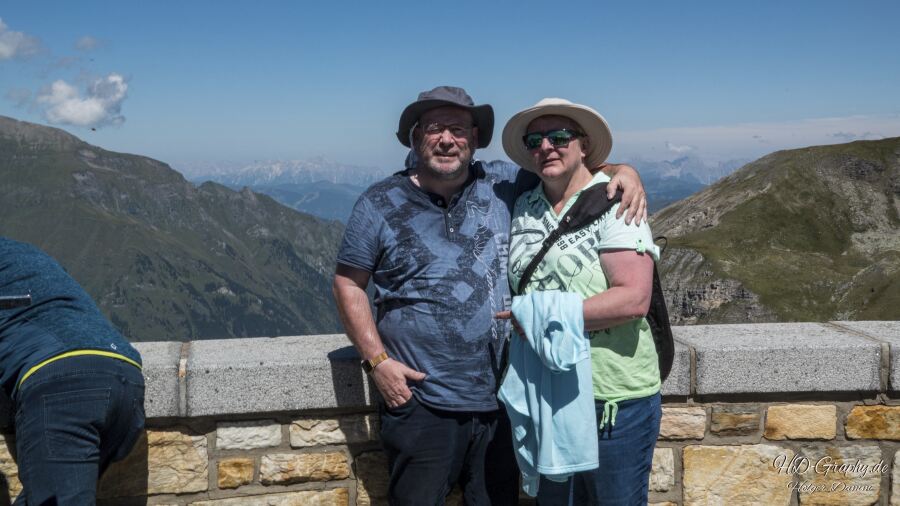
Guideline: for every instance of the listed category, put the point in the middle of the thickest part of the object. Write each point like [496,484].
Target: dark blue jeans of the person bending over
[74,417]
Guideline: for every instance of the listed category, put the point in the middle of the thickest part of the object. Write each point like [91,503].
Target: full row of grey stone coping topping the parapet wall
[299,373]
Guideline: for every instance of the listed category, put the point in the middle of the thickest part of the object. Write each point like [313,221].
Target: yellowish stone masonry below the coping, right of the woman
[807,452]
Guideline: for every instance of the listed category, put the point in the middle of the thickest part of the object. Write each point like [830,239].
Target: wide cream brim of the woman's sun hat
[591,122]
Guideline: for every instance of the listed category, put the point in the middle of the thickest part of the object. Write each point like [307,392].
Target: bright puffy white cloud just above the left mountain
[100,105]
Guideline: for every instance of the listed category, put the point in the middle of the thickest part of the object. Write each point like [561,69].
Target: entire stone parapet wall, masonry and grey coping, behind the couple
[752,414]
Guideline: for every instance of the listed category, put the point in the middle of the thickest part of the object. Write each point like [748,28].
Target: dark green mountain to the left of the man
[163,258]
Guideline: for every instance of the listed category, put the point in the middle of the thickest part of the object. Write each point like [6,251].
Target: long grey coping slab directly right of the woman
[782,357]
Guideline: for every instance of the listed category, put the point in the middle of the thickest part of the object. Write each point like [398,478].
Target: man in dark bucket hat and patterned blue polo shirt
[434,239]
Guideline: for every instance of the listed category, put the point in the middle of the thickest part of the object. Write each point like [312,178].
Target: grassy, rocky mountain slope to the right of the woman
[807,234]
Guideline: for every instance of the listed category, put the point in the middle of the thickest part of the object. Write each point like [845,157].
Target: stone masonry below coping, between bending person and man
[282,460]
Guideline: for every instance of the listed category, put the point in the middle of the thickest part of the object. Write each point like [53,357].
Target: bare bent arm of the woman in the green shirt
[630,276]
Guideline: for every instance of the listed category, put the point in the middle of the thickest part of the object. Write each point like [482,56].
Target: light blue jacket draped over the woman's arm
[548,390]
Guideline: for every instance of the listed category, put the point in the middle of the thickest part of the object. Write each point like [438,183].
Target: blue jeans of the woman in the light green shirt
[626,455]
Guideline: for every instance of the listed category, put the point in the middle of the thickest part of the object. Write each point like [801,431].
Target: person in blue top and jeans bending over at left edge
[74,381]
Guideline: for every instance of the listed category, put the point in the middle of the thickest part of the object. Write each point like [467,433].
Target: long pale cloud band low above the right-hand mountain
[752,140]
